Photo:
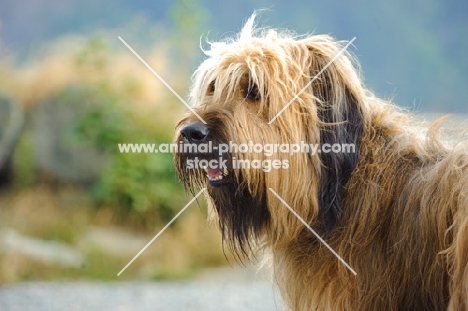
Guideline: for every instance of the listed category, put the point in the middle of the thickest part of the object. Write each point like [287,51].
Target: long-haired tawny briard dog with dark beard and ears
[394,208]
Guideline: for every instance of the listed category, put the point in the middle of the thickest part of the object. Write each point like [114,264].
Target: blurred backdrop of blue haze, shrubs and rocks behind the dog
[72,207]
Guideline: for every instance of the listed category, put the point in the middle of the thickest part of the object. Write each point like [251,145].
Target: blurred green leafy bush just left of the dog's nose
[137,182]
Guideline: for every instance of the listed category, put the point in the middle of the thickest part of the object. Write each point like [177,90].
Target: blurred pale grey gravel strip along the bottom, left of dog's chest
[164,296]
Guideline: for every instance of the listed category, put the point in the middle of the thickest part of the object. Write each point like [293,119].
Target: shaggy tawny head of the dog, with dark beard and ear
[255,91]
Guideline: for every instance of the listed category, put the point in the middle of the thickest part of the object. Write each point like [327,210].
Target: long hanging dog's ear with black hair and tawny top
[338,96]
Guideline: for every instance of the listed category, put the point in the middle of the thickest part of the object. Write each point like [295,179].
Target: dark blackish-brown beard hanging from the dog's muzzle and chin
[242,217]
